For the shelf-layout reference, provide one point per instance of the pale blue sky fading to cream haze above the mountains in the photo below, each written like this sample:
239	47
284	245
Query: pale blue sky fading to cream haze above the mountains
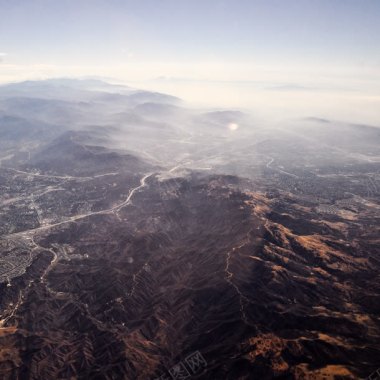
236	52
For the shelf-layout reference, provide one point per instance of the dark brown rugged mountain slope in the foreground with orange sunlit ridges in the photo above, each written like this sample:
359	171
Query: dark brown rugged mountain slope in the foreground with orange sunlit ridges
263	287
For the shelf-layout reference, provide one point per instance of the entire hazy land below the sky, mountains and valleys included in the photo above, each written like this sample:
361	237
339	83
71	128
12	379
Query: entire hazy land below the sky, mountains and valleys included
147	241
